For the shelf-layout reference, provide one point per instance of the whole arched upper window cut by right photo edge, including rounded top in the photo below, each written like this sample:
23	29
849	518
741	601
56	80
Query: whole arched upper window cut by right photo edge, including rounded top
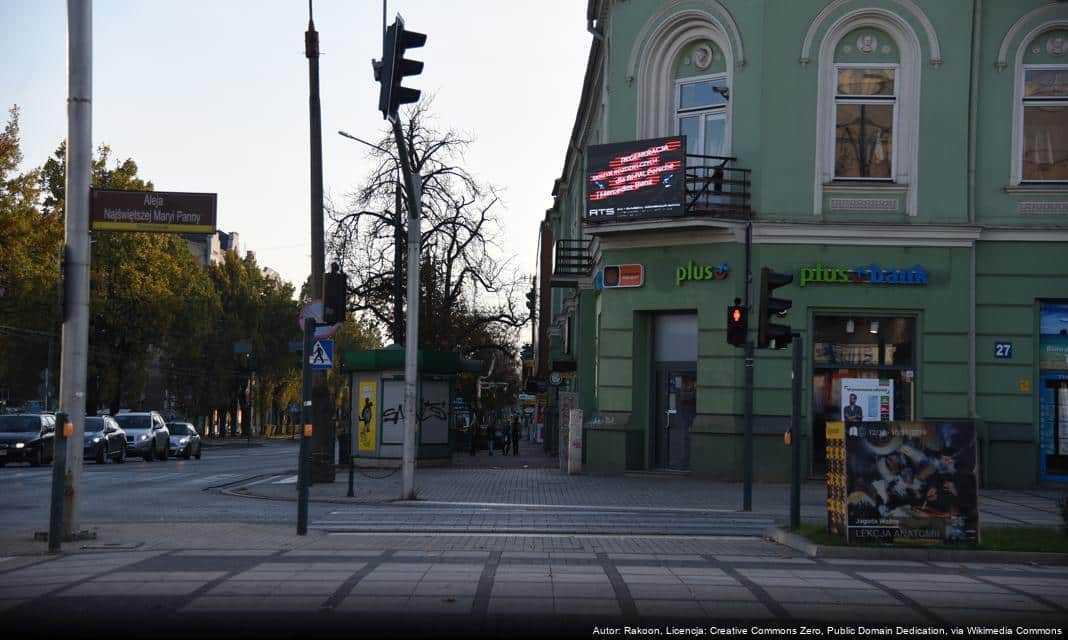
1042	110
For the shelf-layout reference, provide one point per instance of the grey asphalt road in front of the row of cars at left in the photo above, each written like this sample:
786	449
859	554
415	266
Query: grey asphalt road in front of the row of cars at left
175	491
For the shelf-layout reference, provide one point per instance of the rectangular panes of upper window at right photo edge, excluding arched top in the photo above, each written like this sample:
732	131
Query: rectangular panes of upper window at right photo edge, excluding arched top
1045	149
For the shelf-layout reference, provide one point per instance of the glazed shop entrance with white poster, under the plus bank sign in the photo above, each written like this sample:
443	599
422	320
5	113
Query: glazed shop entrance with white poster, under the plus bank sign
863	370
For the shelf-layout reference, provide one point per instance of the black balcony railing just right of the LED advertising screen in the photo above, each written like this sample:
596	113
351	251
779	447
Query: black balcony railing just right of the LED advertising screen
715	188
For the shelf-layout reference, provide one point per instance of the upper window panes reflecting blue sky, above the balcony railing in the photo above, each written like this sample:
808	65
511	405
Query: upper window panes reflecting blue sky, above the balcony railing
701	116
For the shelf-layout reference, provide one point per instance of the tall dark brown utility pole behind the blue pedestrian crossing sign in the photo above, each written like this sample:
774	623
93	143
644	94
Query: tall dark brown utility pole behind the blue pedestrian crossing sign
323	440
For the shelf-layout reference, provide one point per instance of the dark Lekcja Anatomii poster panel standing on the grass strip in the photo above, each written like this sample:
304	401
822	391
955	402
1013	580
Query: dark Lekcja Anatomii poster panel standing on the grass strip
912	481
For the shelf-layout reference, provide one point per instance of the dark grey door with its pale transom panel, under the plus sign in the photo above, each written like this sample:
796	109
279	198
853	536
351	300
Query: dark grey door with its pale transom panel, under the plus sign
676	389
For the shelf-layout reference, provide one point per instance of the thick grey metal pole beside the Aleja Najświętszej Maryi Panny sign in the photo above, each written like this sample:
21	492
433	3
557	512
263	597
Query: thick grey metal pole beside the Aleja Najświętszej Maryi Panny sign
74	351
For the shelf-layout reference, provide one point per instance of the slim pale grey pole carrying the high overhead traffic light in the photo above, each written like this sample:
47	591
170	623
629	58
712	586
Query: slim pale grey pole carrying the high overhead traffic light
412	334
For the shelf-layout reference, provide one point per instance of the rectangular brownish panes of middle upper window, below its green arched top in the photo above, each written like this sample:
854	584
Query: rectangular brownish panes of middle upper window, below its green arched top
866	112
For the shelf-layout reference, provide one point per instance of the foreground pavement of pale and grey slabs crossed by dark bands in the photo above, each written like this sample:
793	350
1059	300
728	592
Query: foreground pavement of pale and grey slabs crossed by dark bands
514	585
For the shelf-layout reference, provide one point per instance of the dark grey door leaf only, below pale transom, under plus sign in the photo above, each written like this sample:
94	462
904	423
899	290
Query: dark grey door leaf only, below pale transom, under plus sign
677	408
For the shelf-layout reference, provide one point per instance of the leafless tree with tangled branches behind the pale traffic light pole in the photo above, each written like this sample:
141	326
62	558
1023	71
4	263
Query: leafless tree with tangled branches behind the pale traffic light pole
467	294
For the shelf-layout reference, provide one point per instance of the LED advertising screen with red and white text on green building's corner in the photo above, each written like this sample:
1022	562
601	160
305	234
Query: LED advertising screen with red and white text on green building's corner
643	179
